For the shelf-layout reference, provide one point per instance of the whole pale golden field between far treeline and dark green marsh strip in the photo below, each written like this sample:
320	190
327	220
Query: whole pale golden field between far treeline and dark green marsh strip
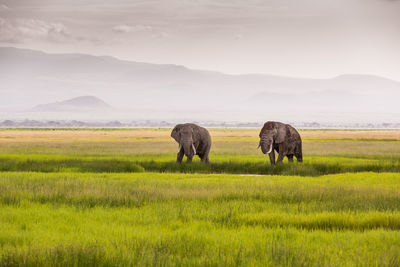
225	141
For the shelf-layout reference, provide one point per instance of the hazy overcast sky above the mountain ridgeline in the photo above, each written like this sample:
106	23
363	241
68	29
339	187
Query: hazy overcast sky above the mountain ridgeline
303	38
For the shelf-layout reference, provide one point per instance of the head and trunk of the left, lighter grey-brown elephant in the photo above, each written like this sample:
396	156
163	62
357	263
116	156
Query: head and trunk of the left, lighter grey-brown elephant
185	135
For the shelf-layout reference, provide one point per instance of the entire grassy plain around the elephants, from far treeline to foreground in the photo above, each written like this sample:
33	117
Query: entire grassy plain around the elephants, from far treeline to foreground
116	197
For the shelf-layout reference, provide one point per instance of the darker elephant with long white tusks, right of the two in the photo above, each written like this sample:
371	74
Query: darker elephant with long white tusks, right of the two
283	138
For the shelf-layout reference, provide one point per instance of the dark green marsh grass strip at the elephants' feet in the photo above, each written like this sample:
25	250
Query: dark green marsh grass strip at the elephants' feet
313	166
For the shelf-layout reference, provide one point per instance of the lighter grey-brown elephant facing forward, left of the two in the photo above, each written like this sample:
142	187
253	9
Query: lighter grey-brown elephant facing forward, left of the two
193	140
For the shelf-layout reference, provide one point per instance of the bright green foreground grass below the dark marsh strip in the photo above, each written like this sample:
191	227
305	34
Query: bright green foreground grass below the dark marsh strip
176	219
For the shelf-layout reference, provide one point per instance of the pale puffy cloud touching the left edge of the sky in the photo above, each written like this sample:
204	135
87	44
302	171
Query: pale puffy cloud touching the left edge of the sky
20	30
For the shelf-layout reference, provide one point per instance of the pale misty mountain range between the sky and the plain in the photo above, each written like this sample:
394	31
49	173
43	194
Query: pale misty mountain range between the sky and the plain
37	81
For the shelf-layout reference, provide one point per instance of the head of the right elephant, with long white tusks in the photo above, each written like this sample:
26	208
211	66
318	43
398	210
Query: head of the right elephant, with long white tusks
272	133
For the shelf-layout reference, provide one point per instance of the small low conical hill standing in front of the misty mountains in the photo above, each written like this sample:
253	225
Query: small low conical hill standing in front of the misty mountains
77	104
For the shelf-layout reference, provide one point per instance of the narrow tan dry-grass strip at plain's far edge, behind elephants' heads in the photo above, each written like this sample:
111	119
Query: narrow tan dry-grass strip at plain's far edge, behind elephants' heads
157	135
